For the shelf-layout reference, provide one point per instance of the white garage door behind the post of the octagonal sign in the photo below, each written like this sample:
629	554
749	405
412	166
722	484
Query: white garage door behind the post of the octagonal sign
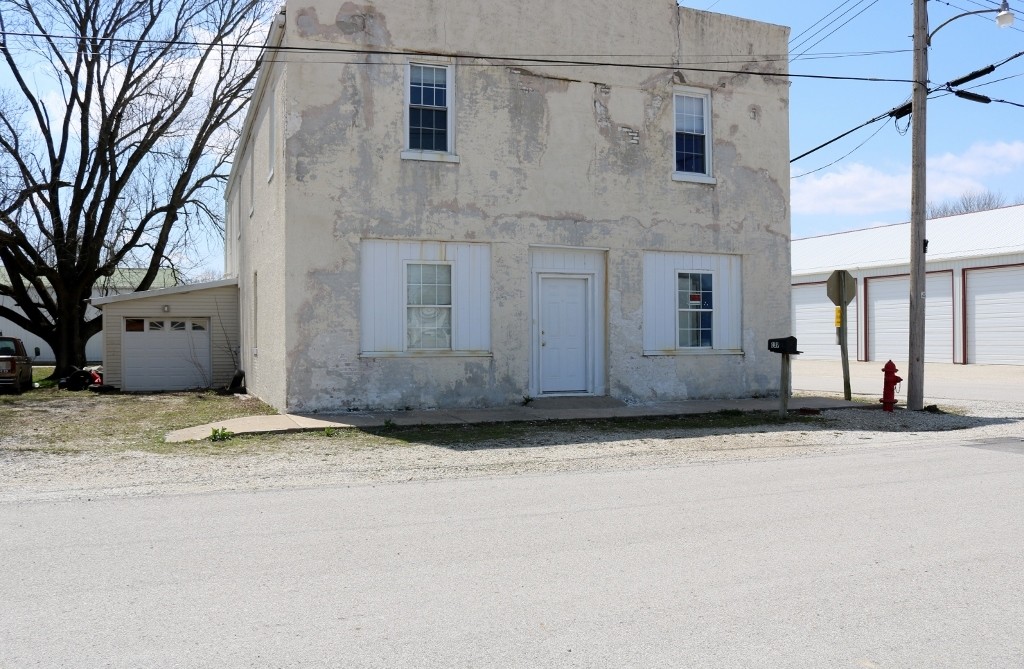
815	323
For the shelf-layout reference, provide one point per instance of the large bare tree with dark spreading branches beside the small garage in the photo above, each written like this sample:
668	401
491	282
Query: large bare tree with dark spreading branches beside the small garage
115	142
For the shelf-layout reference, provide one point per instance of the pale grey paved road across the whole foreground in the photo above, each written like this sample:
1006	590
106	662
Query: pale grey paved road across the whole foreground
888	558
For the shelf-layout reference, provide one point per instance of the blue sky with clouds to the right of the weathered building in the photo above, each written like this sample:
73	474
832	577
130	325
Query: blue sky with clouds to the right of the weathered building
971	147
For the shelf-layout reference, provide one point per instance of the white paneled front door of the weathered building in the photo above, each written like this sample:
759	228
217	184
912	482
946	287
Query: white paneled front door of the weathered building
564	336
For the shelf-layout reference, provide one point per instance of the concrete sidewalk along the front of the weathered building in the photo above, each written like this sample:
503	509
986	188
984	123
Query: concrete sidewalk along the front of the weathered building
546	409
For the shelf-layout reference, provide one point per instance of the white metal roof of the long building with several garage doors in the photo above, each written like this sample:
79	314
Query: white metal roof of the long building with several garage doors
994	233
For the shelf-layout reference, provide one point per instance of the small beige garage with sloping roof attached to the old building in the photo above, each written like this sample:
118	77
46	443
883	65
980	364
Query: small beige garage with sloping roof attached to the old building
173	340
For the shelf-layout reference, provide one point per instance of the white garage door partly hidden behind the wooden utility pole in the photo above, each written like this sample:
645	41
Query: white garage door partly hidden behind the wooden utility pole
889	314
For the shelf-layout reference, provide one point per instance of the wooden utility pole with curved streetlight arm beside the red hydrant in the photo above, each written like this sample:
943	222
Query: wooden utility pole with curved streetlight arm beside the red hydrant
919	244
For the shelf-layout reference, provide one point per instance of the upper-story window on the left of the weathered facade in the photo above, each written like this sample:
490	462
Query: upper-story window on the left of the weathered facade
429	113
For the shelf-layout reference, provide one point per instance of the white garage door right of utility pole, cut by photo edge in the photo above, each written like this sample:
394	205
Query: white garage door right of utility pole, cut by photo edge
996	316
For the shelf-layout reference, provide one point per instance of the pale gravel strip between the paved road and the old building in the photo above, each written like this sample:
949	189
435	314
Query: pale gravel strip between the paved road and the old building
30	474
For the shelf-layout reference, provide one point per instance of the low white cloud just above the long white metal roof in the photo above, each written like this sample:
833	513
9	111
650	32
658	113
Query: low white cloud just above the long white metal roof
859	190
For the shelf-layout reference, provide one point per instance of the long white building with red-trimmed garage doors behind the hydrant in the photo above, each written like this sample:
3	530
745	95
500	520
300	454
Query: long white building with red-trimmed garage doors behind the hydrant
974	305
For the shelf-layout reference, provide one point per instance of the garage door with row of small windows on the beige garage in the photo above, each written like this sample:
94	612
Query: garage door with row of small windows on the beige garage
166	354
